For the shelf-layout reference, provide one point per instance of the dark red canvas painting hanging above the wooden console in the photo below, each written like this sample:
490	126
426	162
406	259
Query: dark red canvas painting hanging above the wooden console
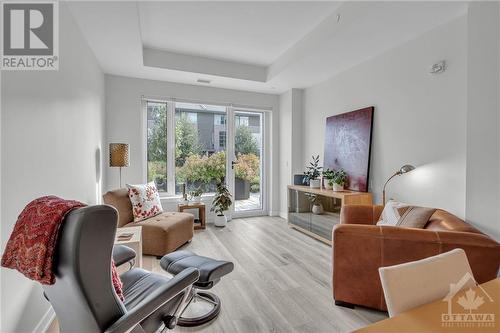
348	146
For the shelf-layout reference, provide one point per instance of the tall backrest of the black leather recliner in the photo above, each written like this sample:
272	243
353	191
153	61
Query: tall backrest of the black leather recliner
83	296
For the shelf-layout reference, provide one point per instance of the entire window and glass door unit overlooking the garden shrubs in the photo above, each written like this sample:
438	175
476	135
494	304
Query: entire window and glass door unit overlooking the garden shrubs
187	148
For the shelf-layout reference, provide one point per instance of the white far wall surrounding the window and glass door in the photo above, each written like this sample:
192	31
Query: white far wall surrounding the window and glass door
124	119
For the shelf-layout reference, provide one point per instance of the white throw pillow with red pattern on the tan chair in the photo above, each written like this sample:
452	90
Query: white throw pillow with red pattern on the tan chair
145	201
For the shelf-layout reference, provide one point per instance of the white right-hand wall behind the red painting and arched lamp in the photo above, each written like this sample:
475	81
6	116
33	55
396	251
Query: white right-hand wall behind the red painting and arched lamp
419	118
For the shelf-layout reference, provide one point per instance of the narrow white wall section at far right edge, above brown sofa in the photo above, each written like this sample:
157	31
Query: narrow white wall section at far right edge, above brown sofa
483	107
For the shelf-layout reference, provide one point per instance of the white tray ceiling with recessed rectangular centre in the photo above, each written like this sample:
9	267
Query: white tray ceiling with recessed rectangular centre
258	46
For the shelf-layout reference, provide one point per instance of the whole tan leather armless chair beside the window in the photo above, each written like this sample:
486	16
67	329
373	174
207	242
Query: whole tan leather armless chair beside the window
162	233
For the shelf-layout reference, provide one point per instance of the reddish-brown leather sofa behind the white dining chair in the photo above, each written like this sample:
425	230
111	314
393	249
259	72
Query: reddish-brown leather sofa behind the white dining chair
360	248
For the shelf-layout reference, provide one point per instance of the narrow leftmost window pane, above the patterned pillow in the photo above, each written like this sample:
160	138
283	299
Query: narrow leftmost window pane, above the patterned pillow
157	144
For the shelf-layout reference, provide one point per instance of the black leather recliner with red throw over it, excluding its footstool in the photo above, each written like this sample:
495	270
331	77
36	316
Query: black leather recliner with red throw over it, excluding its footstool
83	296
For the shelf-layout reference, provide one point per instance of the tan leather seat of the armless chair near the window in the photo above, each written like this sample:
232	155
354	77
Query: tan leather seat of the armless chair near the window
164	233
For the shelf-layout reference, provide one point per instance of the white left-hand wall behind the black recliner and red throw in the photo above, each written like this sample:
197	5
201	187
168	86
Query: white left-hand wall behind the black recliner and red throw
52	130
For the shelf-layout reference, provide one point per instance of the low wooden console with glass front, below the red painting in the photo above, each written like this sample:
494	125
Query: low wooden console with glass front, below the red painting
300	214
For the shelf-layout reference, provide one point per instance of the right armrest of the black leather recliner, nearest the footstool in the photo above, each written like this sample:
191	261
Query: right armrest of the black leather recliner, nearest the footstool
154	301
